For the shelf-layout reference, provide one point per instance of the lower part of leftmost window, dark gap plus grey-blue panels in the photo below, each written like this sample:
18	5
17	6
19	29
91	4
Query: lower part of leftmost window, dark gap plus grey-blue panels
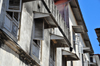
12	22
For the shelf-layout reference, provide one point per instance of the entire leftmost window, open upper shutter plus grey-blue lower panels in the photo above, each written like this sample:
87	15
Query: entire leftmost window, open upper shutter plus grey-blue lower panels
13	16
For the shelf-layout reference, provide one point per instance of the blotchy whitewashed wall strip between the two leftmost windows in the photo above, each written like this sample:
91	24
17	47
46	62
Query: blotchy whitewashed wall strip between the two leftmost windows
26	27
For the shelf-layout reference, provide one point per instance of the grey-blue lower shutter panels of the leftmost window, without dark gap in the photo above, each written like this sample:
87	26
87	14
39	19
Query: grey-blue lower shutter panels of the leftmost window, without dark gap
11	25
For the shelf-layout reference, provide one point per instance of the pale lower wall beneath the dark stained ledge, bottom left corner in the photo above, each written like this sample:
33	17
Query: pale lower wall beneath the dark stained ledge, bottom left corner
9	58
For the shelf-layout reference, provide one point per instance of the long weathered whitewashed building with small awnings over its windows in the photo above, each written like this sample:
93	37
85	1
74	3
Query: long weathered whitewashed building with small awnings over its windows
36	33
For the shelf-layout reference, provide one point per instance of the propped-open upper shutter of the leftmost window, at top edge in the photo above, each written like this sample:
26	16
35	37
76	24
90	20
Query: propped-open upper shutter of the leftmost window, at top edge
14	5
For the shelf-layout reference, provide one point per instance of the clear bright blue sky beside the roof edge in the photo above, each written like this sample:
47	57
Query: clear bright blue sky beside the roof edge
91	14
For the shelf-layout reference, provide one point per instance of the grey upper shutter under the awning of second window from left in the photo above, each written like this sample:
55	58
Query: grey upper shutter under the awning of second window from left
39	29
